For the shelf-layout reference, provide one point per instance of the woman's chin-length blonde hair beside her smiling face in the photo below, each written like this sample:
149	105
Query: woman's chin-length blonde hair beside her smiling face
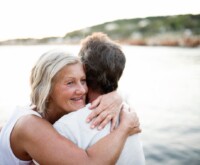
46	68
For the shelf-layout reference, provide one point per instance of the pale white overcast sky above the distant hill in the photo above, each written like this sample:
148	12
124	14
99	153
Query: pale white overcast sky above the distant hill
46	18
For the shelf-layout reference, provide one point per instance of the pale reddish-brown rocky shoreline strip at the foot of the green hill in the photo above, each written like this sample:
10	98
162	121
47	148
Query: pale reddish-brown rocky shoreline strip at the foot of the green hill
154	41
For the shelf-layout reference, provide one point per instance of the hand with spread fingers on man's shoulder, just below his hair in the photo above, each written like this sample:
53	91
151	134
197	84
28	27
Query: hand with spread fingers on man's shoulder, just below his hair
106	108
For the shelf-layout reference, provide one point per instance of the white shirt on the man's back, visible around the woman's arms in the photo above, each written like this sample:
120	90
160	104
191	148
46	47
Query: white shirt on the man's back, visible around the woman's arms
74	127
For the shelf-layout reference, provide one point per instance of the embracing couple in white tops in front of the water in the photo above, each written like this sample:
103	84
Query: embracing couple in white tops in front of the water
76	115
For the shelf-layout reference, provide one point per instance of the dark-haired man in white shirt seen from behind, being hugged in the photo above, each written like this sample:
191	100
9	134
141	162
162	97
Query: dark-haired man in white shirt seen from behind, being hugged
104	63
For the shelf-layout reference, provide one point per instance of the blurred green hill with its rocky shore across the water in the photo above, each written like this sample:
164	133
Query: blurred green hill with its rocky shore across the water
178	30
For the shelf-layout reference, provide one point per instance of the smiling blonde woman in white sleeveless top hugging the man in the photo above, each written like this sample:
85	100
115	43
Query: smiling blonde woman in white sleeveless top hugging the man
58	87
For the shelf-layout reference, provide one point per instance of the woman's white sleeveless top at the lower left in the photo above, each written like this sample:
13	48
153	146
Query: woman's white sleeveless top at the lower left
7	157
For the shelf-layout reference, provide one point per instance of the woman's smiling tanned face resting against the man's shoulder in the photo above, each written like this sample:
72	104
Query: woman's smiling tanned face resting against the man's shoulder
69	89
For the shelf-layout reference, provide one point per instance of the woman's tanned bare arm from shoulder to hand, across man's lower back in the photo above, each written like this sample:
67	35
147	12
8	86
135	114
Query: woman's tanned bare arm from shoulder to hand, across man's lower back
38	139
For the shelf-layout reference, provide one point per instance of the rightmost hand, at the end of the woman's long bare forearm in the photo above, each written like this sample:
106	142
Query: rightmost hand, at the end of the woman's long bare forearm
129	121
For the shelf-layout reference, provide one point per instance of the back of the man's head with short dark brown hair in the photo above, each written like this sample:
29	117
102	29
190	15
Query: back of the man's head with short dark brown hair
104	62
